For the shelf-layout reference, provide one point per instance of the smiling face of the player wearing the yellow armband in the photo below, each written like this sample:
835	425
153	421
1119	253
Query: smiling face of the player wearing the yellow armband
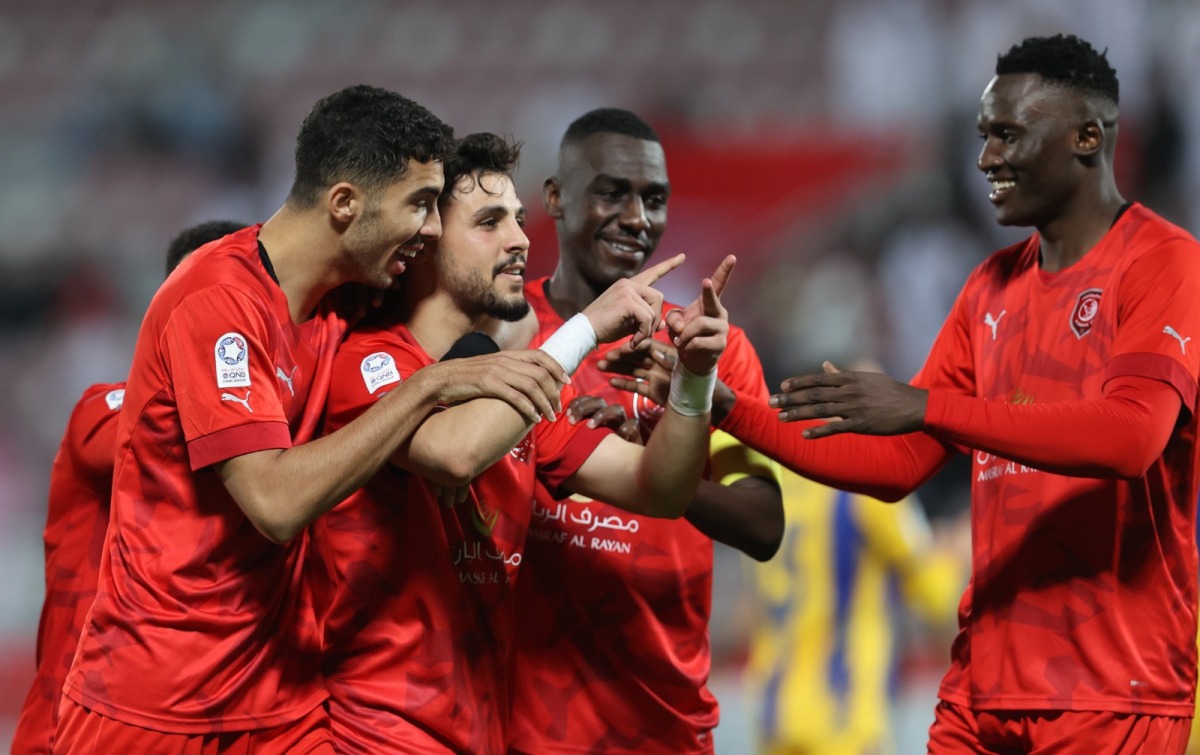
610	202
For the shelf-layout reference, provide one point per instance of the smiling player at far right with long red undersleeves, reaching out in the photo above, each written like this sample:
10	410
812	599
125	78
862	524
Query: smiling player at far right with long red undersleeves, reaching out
1067	370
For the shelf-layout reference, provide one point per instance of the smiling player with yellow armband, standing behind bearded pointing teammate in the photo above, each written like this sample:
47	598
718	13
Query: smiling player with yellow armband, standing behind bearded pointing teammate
614	651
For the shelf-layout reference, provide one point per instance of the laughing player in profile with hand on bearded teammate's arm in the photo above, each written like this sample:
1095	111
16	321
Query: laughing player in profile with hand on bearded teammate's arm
202	637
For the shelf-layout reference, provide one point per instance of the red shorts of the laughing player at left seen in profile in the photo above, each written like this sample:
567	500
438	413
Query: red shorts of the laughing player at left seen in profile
86	733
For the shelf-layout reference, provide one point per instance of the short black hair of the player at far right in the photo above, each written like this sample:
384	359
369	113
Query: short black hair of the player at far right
1065	61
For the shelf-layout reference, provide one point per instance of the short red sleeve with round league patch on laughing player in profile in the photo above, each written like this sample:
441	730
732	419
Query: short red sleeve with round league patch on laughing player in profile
218	347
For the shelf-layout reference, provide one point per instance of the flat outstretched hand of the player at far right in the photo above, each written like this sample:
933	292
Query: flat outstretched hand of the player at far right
865	403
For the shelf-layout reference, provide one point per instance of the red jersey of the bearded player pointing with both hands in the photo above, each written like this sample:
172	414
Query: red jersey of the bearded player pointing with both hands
419	624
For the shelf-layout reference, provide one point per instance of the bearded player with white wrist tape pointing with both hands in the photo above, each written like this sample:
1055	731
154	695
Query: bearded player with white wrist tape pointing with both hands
419	636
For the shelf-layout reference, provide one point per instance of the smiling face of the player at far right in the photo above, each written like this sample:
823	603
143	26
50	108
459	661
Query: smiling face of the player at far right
1033	148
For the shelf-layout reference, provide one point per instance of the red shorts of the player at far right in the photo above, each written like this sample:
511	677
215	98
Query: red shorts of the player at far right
958	730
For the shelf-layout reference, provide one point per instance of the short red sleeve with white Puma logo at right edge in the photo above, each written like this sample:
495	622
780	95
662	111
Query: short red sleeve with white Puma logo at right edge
1159	320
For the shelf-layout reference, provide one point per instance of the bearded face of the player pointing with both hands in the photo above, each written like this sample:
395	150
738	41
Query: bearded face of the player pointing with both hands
482	255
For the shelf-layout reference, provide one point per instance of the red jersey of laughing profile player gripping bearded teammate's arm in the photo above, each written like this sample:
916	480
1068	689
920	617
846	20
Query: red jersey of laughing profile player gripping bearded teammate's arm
200	624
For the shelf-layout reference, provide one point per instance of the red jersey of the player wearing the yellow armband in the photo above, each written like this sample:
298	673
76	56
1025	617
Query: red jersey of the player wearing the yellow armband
614	652
